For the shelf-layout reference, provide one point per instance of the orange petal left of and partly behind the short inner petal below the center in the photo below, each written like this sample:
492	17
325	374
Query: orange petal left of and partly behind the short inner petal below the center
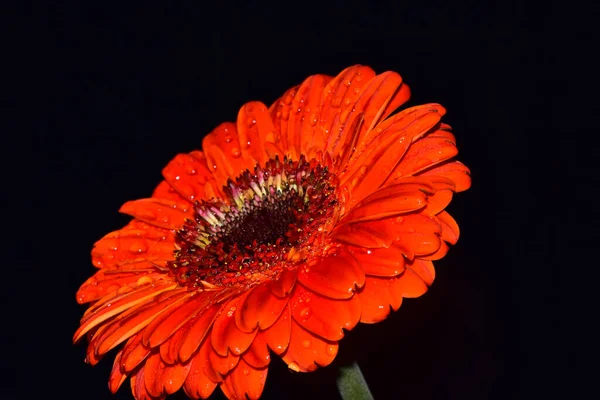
226	335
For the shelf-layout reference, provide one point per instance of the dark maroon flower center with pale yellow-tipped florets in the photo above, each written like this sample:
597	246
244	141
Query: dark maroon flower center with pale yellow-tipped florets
272	219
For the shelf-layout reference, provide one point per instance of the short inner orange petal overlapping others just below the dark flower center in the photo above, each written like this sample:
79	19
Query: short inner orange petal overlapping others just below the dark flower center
260	308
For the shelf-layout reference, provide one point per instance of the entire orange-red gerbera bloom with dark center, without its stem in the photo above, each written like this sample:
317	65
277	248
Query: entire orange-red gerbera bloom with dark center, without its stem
288	228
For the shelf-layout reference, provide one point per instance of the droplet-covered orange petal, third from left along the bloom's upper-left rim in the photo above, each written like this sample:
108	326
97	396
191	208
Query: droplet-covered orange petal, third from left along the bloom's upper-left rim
223	153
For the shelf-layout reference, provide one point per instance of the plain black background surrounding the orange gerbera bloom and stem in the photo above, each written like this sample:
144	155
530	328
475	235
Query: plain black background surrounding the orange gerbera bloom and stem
121	89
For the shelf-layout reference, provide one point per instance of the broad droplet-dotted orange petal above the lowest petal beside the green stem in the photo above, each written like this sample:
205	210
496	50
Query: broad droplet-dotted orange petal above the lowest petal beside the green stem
323	316
